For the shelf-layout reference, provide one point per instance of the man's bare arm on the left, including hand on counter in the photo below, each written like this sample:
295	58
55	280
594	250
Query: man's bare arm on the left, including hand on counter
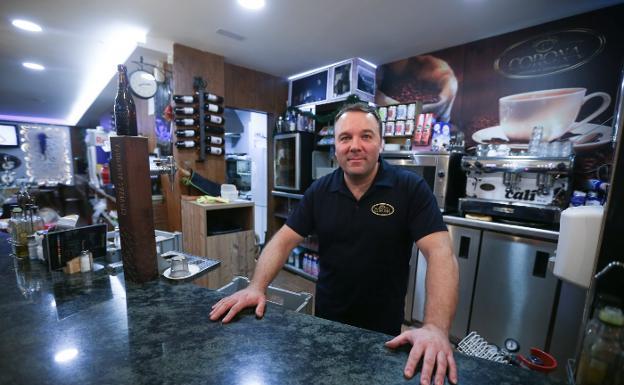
269	263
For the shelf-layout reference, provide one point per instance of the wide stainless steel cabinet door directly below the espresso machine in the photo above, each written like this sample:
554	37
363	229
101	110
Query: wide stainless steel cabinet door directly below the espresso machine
514	292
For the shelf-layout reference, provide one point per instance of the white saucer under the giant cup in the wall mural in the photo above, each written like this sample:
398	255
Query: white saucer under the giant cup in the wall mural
485	135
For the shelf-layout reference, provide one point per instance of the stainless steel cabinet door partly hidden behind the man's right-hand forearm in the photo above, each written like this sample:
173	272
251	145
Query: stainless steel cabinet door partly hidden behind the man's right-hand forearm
465	243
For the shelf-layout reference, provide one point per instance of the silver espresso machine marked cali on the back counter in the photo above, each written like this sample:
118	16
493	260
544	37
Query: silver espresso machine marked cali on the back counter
517	189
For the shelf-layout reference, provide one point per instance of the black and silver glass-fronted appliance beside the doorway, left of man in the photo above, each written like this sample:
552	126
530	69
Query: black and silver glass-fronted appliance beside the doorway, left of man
292	163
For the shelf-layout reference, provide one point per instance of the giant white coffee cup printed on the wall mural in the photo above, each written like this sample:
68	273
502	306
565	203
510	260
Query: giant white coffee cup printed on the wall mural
555	110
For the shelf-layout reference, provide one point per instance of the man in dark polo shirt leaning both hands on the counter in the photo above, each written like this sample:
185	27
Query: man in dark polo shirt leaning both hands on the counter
367	215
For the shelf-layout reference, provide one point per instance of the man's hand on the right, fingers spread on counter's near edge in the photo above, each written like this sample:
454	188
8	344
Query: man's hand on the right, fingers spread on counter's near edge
430	344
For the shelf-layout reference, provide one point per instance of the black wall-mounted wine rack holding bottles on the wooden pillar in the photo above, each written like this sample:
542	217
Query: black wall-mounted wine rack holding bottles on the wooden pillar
201	99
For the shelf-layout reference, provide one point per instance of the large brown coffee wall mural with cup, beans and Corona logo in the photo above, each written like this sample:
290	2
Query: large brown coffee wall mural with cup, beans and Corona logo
562	76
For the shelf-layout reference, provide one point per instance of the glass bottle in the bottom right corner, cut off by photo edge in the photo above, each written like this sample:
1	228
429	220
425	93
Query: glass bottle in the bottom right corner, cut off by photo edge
601	356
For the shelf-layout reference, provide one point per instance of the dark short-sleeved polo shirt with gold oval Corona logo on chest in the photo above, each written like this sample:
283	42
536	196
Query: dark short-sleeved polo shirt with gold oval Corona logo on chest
365	246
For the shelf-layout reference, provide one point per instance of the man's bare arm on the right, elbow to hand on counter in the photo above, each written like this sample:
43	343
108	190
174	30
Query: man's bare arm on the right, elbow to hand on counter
430	343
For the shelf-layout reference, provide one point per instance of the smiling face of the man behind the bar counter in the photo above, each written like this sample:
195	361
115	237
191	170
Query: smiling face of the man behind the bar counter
358	143
